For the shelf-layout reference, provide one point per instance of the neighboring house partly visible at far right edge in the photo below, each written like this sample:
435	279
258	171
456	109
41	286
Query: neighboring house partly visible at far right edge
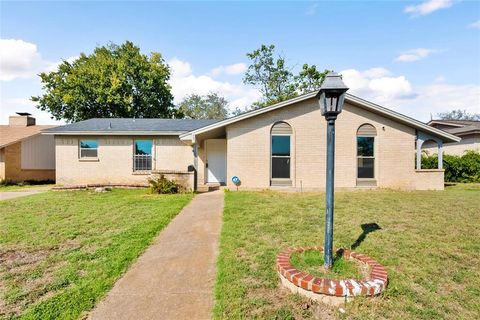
468	130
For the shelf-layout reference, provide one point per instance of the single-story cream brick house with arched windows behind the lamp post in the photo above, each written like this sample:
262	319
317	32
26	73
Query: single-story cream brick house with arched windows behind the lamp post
280	146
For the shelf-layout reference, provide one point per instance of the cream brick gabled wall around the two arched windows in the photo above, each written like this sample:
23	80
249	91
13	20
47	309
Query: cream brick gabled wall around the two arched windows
248	149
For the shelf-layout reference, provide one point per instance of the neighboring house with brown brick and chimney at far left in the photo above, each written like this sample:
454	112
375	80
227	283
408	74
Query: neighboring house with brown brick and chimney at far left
25	154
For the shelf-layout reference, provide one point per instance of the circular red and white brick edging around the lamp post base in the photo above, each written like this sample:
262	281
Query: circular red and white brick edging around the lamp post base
374	284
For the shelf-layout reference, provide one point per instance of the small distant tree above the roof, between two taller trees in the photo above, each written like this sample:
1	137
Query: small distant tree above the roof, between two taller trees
210	106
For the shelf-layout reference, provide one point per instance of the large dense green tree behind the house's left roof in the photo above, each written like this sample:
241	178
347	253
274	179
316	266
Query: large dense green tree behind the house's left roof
113	81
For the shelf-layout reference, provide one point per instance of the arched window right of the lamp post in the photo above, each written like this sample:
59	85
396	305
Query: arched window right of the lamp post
366	151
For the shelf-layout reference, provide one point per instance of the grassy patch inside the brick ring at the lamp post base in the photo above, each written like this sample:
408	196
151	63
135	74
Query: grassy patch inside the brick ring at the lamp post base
311	262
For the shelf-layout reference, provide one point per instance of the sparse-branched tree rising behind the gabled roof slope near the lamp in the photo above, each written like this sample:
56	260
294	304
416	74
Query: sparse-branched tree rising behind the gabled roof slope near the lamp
269	73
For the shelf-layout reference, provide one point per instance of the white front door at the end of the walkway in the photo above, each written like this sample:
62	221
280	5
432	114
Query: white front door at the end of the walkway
216	160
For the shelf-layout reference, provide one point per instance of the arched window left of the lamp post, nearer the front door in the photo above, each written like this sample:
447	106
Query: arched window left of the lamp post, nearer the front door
281	154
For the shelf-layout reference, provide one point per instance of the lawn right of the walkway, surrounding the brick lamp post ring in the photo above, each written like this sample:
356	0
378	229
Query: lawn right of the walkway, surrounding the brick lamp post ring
428	241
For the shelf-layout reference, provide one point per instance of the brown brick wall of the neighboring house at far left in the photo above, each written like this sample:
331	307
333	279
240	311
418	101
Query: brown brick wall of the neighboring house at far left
12	166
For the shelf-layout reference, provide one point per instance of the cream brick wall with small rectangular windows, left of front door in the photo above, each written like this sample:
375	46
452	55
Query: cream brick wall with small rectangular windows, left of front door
115	160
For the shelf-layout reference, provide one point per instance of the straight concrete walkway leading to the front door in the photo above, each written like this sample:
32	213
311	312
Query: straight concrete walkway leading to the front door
174	278
